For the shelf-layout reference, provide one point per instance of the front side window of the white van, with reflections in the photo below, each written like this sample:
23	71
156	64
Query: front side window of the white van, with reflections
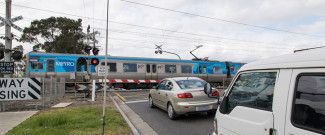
253	89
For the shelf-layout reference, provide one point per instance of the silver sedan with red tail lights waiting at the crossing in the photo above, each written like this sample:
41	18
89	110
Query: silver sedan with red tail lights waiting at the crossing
182	95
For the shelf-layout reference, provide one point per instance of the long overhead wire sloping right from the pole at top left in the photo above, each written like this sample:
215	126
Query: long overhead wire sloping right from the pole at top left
141	26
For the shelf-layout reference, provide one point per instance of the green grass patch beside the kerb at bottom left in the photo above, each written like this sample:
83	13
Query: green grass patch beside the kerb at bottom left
73	121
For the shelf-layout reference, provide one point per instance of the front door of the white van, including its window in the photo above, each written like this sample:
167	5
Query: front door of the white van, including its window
247	107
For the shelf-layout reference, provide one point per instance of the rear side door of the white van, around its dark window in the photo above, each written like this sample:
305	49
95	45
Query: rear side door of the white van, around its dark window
306	103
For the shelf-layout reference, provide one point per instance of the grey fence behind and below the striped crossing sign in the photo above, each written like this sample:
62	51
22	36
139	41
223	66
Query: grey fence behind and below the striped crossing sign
53	89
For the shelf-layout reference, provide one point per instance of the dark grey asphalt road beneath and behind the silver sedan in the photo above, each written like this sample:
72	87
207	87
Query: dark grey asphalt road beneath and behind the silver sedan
157	119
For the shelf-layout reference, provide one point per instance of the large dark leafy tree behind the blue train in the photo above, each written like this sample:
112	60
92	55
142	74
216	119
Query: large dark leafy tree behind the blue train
55	35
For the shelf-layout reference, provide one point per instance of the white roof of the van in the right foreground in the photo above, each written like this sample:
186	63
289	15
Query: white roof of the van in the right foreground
300	59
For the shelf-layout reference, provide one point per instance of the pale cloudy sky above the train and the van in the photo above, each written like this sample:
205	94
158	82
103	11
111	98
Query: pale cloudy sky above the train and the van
229	30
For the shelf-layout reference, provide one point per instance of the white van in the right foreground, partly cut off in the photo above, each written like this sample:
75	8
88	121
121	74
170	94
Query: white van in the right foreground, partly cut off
278	96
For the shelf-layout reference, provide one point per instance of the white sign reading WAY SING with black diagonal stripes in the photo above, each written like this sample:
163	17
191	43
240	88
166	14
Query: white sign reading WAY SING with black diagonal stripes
20	89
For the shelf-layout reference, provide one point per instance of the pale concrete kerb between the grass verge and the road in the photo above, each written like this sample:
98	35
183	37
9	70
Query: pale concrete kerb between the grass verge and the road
135	119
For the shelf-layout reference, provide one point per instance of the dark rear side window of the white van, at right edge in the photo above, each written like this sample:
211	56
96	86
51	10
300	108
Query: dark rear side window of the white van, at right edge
308	111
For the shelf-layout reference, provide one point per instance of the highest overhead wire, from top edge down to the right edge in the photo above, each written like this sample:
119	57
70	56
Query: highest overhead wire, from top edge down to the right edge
224	20
